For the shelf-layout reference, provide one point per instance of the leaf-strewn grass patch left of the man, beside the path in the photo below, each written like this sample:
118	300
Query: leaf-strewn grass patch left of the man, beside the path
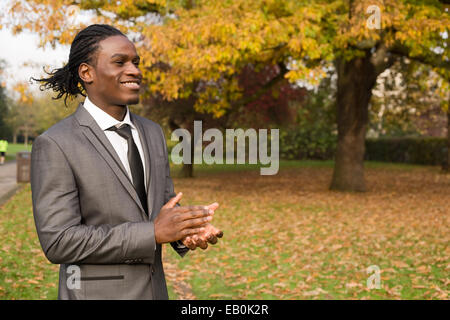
25	272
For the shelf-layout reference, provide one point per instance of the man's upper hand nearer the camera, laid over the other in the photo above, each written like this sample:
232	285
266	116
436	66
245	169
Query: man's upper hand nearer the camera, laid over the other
175	223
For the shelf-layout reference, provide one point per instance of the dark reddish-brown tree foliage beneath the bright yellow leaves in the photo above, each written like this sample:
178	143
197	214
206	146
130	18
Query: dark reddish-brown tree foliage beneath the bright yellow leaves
263	104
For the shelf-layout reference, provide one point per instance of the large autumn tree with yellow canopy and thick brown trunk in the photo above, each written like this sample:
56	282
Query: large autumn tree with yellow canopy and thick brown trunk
213	40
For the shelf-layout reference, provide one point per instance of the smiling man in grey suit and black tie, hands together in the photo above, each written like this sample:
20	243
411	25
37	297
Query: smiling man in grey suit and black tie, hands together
103	199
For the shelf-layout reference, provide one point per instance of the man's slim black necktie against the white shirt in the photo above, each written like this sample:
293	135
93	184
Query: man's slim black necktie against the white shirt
135	162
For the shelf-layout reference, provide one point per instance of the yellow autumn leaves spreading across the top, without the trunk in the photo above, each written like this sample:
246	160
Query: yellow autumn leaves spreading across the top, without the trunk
211	41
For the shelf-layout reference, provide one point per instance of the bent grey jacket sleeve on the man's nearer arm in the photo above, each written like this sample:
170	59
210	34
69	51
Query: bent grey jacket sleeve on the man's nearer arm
62	234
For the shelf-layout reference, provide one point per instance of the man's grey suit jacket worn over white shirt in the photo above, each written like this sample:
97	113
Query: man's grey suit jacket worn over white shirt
88	215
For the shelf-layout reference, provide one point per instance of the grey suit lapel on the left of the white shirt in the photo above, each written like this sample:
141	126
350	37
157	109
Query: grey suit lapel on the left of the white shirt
101	143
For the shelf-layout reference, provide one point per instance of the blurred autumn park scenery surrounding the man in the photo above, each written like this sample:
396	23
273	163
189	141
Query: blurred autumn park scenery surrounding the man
359	91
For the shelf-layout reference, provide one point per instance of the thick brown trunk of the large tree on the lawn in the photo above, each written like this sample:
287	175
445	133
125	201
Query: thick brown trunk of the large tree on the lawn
356	78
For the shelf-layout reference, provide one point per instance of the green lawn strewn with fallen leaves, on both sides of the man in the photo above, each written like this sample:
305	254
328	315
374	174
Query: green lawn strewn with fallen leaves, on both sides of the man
285	236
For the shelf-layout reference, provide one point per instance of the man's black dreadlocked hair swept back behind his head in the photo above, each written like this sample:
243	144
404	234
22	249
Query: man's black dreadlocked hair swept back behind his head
66	81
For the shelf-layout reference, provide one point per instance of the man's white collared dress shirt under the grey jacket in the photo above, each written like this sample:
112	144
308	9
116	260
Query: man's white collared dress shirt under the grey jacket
105	121
